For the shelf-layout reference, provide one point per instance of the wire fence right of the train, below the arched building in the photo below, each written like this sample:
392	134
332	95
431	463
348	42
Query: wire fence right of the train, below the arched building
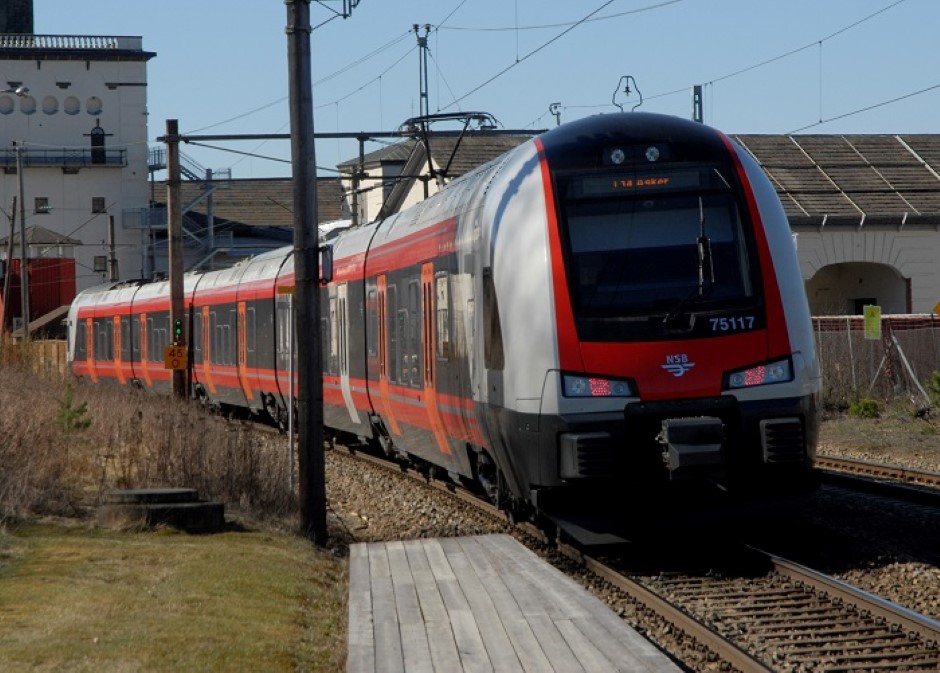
898	365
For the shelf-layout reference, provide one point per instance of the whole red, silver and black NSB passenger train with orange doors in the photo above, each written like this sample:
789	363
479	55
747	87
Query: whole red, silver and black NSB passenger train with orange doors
613	305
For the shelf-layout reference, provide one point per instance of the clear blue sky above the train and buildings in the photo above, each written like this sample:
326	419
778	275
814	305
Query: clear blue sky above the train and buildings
766	66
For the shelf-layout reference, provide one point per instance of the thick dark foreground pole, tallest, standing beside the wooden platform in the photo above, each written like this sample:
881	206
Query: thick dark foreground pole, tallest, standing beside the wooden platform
306	277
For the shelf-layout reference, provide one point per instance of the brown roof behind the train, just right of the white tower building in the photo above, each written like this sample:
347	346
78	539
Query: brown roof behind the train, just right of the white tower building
262	202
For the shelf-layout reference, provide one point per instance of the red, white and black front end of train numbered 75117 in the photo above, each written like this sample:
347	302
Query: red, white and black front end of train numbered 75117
685	350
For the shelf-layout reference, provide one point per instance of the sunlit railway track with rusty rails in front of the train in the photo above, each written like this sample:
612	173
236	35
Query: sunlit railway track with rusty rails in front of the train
783	618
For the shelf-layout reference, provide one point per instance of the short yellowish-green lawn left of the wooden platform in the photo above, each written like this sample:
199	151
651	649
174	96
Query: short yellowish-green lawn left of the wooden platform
79	599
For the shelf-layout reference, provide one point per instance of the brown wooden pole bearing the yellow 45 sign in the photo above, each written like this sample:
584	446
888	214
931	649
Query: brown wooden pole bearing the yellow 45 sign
174	226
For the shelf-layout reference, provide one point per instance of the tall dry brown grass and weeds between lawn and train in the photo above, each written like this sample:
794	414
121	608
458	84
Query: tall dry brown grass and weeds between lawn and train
135	440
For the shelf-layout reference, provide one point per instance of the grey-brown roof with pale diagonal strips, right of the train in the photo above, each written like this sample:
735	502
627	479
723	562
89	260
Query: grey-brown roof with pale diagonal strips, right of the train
854	180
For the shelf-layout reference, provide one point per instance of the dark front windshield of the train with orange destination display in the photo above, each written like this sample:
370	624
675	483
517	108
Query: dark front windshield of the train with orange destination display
648	254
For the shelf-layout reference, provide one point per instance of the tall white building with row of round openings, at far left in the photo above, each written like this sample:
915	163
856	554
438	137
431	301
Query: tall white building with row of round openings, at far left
75	110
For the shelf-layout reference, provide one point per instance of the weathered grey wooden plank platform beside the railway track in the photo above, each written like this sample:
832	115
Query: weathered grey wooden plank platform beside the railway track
483	603
